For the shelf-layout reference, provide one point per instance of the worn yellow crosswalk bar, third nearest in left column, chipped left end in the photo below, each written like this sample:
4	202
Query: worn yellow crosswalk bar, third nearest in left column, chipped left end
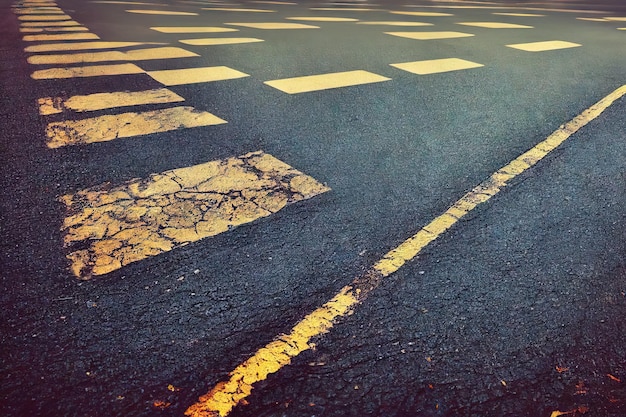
101	101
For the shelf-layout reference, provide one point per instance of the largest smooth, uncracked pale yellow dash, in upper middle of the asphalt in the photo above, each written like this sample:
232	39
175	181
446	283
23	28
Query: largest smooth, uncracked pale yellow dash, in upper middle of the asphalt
325	81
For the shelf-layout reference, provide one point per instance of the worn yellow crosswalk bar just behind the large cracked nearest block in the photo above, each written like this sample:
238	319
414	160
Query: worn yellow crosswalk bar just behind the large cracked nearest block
125	125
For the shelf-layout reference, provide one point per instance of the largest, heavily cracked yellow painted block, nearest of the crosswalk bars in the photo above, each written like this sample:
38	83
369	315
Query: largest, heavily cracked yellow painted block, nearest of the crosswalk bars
146	217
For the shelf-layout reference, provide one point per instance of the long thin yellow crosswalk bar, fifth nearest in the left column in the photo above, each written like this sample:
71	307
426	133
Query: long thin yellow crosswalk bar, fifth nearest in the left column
134	55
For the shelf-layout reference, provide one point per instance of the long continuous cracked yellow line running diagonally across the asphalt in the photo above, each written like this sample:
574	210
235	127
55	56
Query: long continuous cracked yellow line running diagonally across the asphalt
220	400
